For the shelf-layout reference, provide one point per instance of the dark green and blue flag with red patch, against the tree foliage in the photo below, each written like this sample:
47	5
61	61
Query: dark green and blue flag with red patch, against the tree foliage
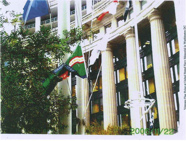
59	74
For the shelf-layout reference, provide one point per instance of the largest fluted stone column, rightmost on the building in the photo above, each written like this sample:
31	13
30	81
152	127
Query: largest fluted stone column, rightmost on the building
164	92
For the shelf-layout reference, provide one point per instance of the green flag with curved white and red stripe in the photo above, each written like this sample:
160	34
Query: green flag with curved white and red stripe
76	62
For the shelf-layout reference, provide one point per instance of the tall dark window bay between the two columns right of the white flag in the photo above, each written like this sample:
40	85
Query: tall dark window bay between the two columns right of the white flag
120	64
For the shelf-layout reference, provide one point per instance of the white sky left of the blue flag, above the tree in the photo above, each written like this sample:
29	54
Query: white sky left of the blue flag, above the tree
17	6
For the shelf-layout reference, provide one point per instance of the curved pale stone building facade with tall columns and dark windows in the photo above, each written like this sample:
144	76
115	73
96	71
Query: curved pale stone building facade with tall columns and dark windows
141	60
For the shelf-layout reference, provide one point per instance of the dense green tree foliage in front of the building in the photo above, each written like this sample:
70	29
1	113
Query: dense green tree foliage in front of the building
27	61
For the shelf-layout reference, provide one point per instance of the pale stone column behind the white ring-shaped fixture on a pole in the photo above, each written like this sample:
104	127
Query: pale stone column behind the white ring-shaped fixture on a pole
133	77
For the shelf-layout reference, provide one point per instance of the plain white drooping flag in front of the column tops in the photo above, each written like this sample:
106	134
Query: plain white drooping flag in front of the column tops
101	47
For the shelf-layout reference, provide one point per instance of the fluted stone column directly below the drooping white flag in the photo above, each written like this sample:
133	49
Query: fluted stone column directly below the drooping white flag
109	89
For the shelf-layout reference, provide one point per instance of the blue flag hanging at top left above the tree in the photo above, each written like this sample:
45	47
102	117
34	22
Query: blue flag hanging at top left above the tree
35	8
